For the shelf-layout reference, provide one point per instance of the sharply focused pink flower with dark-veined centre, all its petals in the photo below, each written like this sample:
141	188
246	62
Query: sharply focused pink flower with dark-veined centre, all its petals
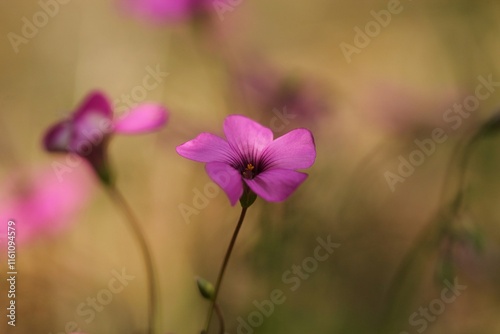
249	158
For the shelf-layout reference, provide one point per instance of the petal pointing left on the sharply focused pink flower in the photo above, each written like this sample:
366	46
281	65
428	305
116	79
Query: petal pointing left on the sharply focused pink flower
206	147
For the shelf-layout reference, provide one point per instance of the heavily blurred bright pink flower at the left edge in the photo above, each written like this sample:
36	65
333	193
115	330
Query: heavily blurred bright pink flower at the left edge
40	204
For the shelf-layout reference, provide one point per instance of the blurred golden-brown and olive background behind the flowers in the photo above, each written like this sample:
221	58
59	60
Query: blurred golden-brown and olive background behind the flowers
393	92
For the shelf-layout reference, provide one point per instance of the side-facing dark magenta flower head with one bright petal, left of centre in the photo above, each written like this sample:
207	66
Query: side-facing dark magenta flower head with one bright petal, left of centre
90	127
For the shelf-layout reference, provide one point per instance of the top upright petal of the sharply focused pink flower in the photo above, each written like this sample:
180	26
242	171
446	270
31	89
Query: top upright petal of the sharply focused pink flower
247	137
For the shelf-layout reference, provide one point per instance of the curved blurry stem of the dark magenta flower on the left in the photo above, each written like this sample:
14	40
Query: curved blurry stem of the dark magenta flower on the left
122	204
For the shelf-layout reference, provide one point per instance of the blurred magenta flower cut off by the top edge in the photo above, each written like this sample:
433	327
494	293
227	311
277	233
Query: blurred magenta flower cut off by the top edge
160	11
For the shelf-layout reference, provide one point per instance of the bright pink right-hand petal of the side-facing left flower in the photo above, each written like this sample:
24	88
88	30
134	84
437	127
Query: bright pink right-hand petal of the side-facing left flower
144	118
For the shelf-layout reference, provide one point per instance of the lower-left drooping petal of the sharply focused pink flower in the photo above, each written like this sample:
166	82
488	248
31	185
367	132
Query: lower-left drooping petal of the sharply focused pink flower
228	178
